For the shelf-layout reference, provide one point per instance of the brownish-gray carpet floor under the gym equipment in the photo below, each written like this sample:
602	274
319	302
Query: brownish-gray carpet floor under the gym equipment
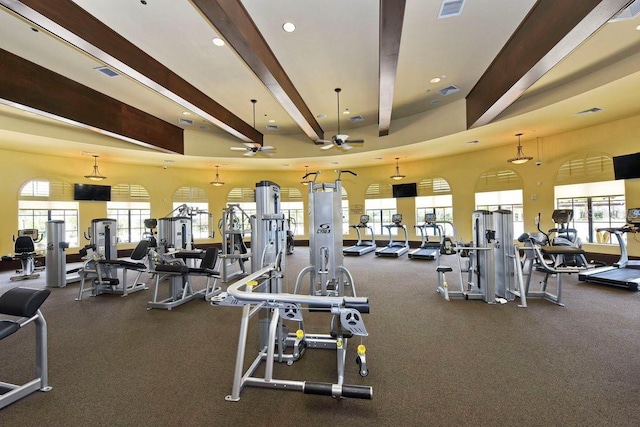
431	362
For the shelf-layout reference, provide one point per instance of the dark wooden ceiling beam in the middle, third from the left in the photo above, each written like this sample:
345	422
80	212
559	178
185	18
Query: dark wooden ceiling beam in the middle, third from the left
232	21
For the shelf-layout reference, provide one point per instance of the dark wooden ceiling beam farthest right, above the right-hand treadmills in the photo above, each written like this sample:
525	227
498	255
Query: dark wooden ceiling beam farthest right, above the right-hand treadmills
550	32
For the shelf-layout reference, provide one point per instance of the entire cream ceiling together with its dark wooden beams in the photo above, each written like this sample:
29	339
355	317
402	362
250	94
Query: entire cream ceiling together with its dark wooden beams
293	76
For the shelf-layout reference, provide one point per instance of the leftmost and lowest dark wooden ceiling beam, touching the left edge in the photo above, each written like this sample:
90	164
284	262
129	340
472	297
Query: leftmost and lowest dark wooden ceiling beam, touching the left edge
23	85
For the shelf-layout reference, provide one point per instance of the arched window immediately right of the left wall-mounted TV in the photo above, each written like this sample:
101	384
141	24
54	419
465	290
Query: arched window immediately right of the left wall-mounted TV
130	205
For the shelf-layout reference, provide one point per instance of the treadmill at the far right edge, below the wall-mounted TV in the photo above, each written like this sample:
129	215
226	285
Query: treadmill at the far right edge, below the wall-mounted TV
624	273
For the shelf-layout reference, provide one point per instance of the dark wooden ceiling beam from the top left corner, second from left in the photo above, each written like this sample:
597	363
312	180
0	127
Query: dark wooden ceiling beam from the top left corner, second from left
77	27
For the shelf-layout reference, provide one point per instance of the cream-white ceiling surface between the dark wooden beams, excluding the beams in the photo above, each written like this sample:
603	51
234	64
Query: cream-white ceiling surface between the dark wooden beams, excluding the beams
335	45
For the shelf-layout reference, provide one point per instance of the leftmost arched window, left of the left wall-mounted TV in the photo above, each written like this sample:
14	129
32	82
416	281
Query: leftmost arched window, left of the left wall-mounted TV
42	200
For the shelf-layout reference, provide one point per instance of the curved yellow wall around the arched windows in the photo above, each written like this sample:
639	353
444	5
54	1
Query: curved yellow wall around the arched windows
462	172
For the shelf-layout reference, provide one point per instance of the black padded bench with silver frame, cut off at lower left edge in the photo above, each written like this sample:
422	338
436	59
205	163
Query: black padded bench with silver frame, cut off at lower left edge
25	303
